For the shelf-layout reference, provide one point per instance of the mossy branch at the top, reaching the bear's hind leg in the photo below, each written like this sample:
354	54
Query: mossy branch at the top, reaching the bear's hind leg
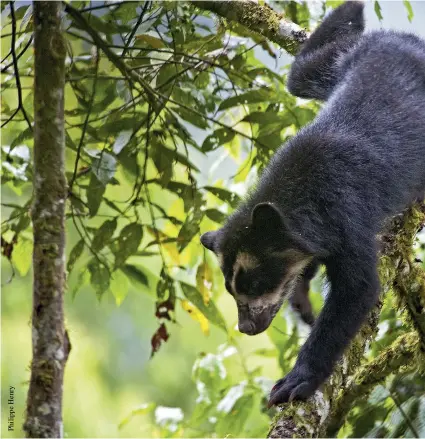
261	19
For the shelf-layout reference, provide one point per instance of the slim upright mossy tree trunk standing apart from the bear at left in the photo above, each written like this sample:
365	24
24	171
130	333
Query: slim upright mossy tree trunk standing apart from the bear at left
50	344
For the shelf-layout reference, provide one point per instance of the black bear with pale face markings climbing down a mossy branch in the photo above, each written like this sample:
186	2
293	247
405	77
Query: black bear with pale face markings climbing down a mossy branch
326	193
